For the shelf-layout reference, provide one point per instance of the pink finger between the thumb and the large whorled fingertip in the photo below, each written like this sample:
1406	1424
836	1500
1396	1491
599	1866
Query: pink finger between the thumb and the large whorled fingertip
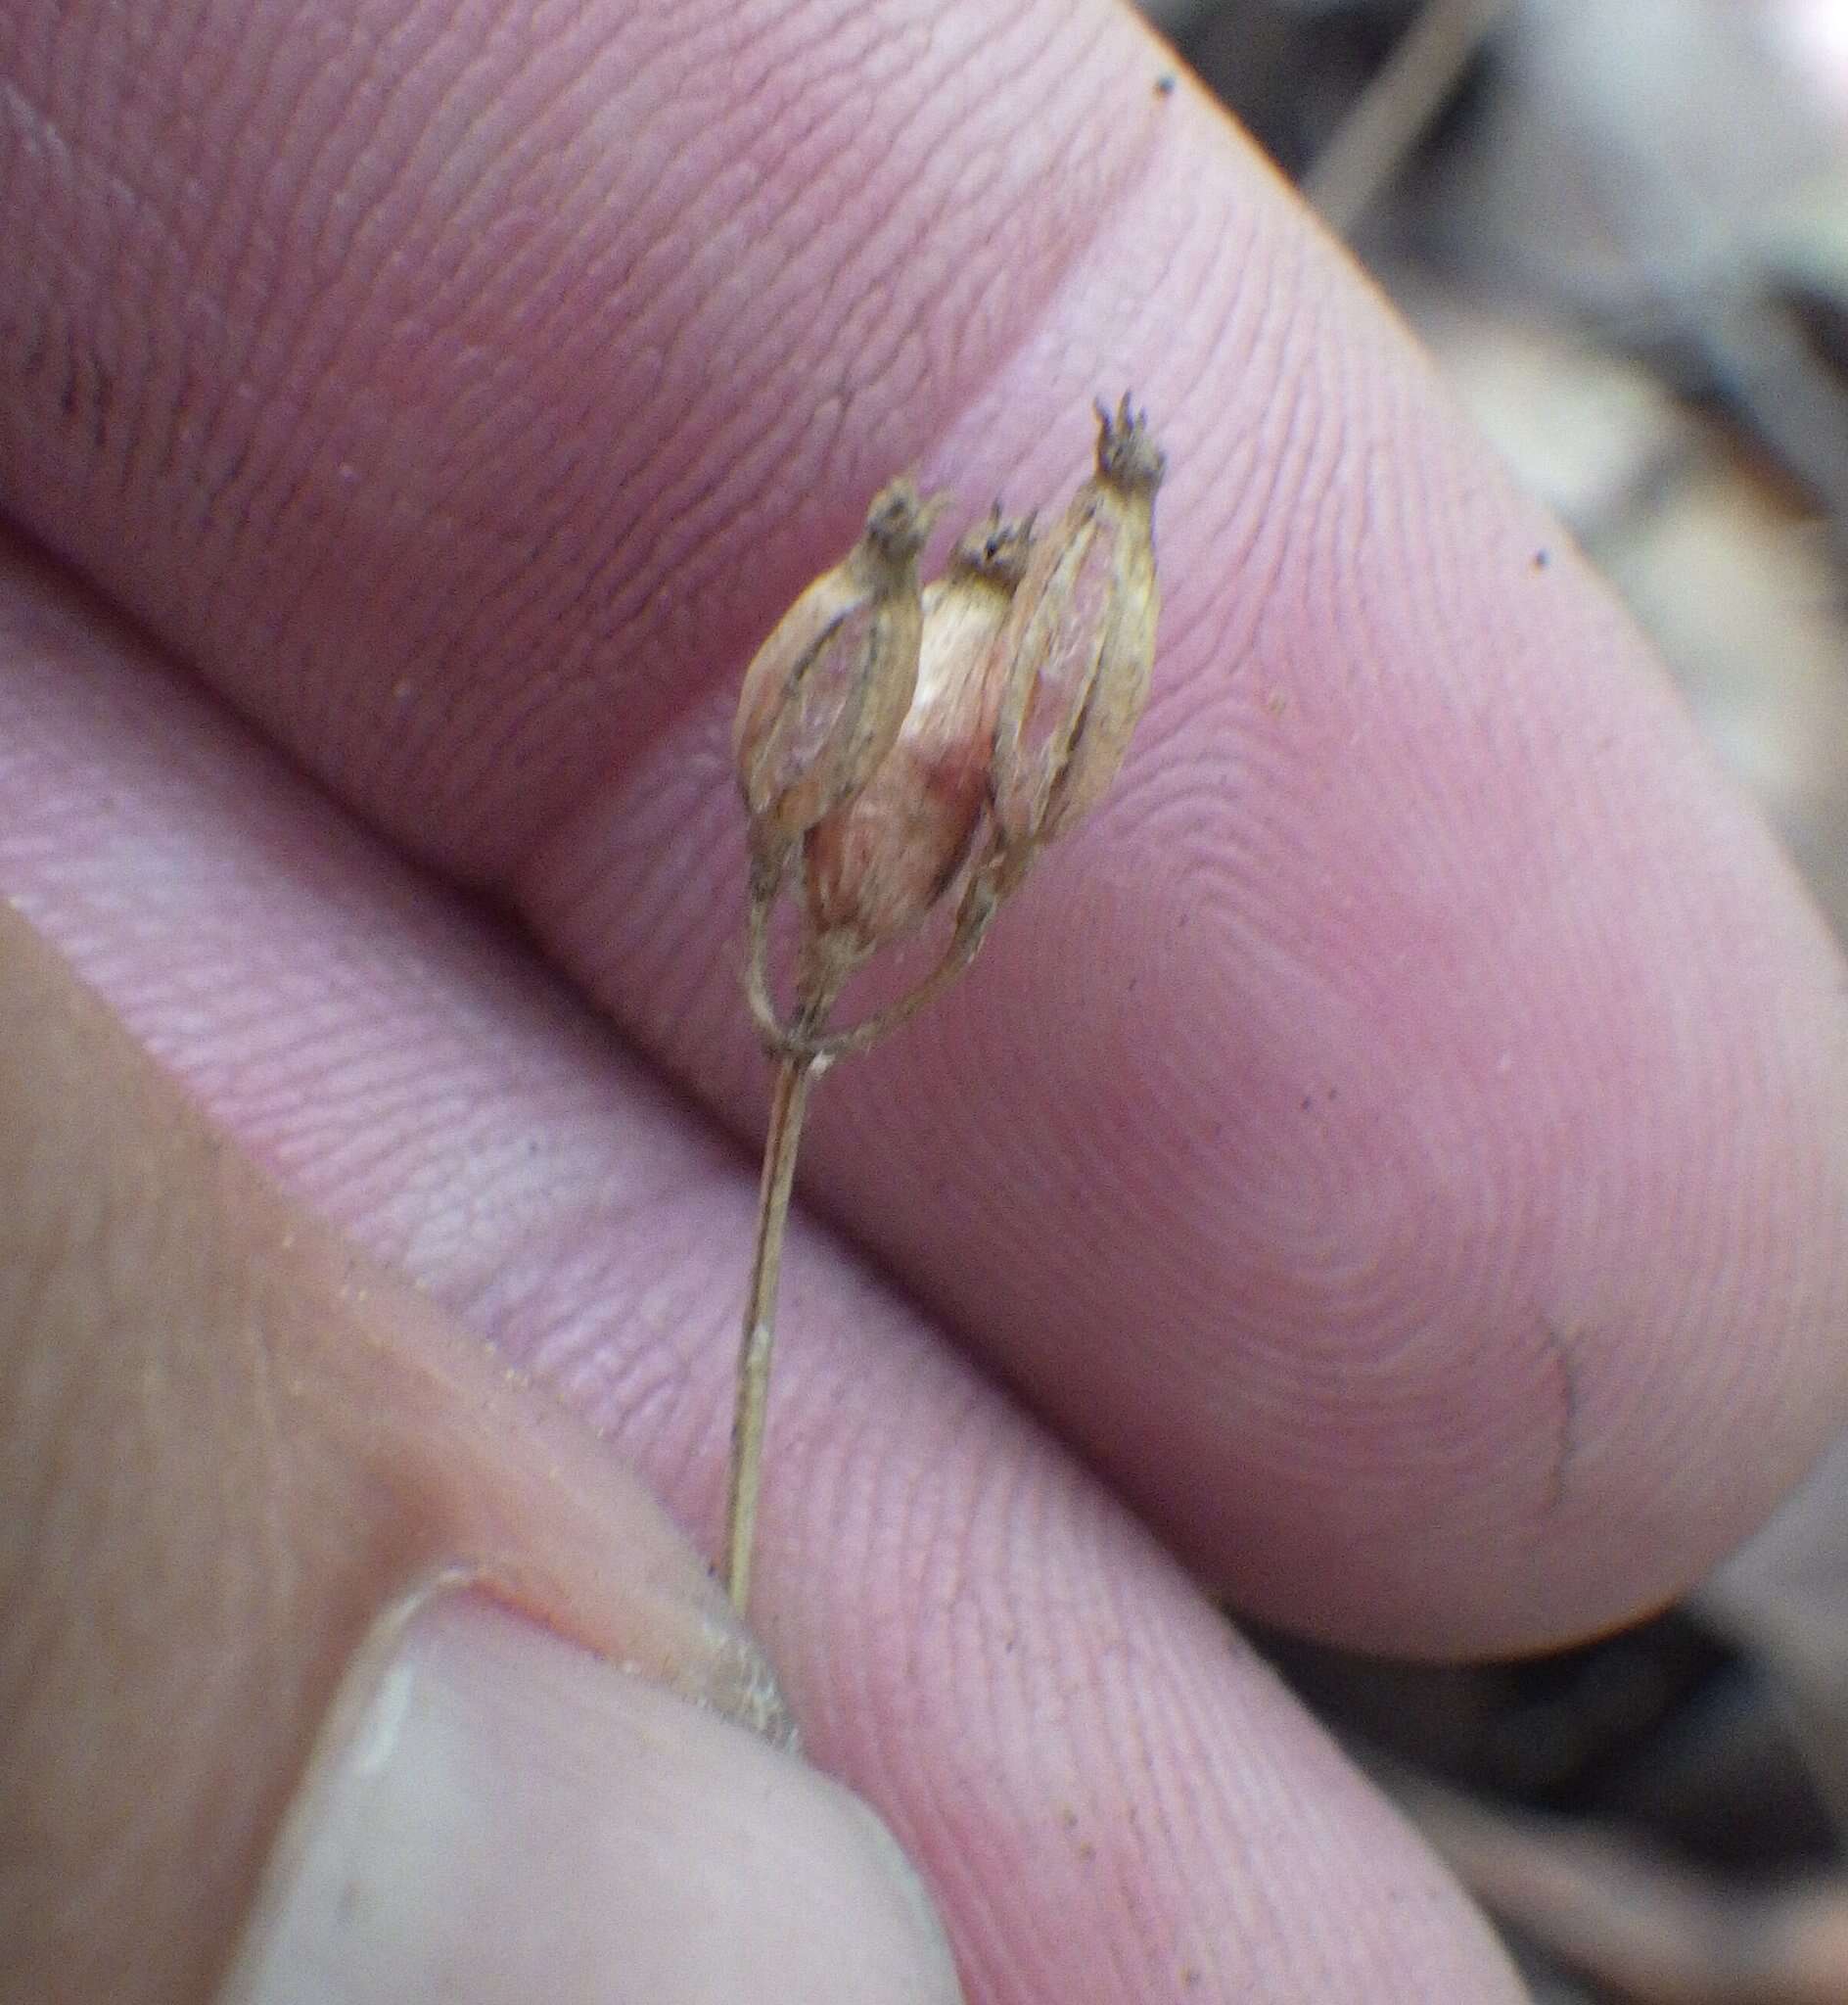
969	1627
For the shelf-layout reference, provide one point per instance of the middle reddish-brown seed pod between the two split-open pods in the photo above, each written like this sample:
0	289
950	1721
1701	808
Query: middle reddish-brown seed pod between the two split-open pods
881	863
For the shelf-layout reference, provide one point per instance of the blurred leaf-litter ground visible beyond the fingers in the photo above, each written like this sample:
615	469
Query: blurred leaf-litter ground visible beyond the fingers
1623	230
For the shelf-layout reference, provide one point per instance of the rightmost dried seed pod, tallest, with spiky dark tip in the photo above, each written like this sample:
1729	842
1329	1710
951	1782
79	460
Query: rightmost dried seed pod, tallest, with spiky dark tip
1079	645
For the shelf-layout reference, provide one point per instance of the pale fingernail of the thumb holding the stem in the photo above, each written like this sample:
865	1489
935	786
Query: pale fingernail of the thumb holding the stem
500	1818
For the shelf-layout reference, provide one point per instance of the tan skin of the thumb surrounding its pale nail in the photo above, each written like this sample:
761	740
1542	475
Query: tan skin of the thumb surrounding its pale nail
229	1445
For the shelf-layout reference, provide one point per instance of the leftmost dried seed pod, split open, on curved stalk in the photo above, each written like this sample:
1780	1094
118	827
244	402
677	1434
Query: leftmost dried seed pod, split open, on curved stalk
827	695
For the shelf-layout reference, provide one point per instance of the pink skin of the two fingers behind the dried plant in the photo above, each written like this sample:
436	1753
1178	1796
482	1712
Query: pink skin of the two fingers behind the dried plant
1400	1150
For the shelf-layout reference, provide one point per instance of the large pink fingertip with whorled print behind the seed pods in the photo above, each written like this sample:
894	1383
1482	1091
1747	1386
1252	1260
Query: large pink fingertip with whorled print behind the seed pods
1418	1106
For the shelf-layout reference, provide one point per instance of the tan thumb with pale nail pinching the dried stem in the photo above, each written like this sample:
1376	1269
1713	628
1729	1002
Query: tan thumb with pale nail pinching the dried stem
296	1573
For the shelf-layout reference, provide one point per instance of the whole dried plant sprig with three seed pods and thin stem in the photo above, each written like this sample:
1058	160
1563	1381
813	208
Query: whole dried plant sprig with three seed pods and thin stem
911	751
